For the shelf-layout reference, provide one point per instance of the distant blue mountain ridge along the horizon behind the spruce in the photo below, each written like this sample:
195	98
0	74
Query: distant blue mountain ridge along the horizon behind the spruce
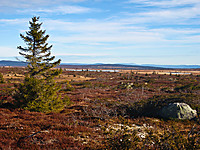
105	66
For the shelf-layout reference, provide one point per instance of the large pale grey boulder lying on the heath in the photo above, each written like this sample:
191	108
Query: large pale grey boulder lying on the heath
178	111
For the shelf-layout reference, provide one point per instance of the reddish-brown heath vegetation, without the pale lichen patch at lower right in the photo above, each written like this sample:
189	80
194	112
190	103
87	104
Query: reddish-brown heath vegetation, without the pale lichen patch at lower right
95	104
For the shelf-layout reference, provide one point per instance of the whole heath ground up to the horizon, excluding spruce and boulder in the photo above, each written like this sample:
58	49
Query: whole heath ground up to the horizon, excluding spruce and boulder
106	110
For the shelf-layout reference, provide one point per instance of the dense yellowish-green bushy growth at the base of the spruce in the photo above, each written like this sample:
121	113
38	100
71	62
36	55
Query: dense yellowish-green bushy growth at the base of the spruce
39	95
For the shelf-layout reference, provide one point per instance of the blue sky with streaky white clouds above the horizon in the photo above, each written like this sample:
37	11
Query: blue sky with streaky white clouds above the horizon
159	32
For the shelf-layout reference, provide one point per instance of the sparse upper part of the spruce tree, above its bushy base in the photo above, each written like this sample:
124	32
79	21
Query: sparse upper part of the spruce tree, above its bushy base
37	52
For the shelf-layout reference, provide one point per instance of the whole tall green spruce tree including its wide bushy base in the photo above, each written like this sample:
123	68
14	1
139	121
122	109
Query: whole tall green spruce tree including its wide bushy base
39	91
